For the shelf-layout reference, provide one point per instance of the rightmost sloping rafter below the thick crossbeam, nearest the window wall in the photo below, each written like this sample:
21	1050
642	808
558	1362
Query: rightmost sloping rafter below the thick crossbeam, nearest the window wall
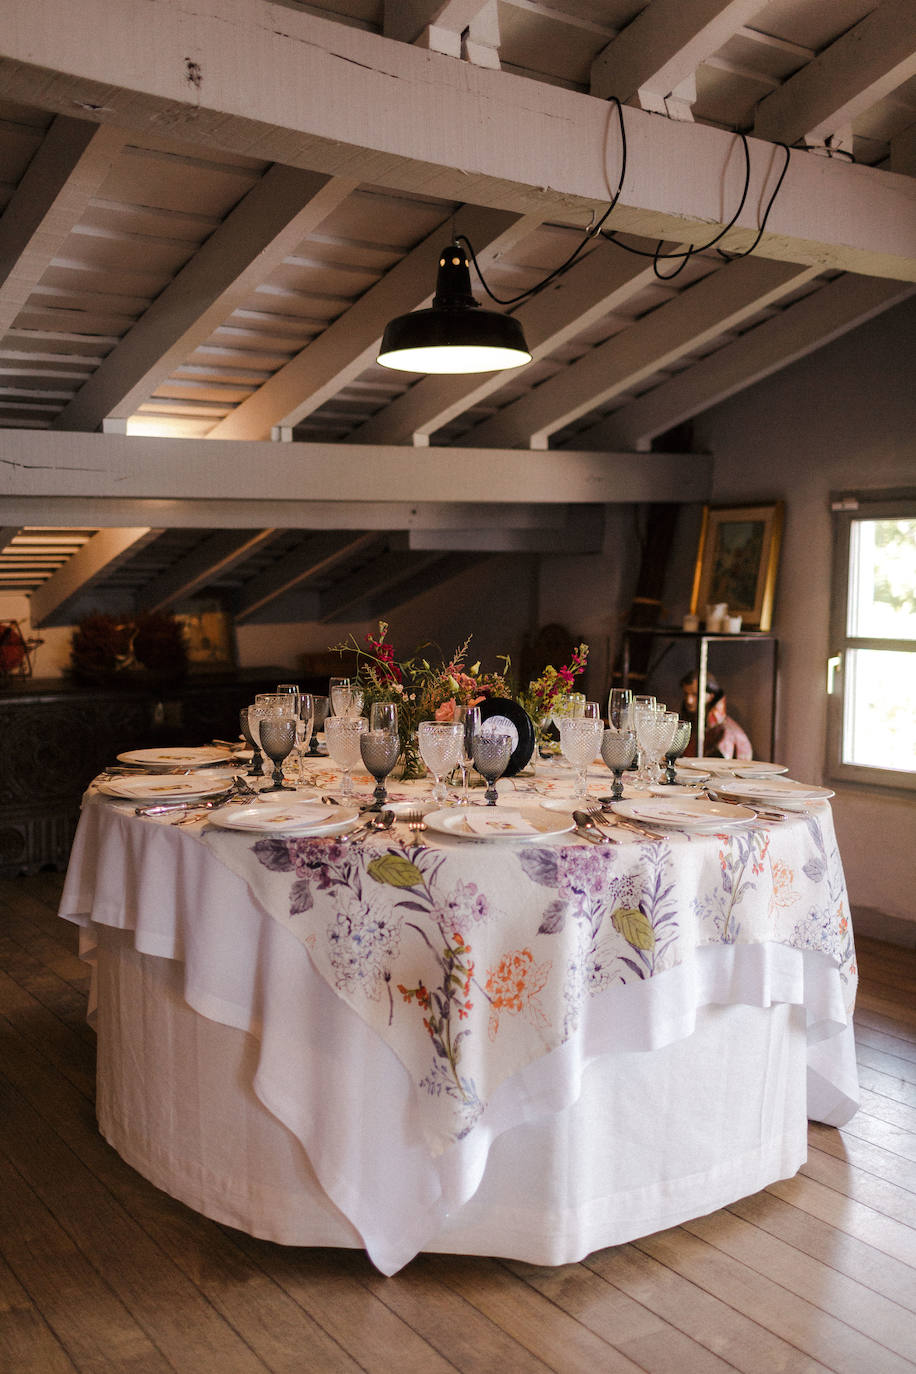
778	343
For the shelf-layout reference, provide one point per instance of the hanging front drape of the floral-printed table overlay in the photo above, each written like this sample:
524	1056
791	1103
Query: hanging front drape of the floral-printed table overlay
474	960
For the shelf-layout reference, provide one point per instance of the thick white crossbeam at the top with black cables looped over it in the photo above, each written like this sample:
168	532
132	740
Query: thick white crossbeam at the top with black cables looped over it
437	127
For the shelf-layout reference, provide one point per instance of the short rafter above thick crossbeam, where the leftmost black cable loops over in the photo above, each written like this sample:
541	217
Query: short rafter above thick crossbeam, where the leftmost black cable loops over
665	45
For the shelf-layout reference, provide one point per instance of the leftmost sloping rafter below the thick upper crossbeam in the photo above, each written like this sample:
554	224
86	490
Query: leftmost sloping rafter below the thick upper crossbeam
65	174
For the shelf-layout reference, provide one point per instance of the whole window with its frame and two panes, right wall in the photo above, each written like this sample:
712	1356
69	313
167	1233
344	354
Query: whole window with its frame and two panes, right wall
873	666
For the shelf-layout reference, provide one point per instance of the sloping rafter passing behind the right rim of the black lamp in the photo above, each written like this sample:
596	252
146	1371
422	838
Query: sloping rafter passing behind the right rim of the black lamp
597	285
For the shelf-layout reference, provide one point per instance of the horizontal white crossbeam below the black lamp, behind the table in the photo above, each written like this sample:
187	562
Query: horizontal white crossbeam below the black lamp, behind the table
290	477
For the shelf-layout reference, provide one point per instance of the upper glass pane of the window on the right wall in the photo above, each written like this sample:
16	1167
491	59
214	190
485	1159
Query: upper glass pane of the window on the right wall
882	579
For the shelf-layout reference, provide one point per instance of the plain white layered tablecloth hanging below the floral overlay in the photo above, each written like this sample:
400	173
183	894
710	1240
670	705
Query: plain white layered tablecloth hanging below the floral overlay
240	1079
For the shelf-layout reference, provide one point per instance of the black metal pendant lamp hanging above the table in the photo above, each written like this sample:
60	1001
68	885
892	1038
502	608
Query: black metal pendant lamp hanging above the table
455	335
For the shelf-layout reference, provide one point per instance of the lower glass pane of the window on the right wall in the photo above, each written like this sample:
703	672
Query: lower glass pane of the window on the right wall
881	710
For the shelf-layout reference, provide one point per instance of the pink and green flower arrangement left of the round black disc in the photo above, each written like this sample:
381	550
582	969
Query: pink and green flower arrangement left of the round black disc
424	689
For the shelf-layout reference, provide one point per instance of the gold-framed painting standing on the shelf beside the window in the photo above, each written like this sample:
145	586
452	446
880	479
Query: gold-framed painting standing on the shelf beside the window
737	561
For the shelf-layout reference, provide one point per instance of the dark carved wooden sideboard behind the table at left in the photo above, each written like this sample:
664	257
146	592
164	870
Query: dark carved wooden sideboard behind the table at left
56	737
